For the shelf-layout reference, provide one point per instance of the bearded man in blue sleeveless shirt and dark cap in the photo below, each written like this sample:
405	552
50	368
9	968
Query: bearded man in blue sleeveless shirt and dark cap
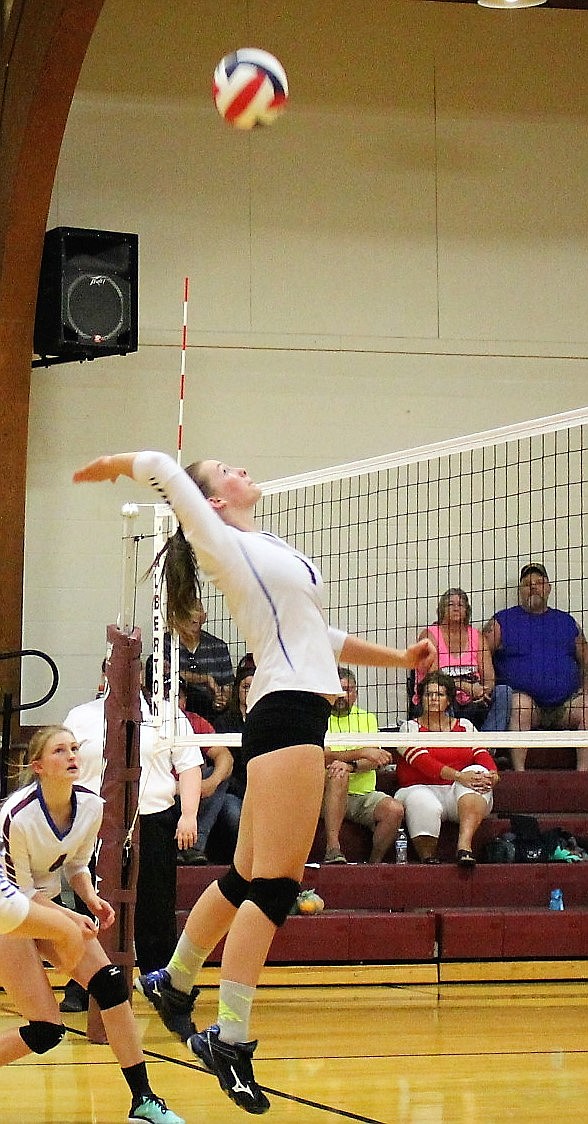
542	655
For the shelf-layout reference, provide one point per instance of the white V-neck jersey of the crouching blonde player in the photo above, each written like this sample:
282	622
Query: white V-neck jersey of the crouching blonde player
37	851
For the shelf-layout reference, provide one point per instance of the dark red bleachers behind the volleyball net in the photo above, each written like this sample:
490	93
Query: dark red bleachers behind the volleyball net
421	913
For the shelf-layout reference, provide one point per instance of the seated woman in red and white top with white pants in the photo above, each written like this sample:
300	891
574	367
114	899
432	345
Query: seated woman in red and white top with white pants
440	783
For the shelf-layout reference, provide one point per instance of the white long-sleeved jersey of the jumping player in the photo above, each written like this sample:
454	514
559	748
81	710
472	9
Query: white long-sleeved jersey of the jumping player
274	593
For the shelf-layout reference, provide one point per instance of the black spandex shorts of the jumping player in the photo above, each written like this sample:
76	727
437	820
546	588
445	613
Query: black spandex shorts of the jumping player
285	719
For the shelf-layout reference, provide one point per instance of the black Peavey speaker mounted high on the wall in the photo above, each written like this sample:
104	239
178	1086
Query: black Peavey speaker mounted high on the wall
88	295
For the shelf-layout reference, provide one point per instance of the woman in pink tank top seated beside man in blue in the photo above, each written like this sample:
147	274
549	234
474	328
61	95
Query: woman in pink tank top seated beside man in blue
464	654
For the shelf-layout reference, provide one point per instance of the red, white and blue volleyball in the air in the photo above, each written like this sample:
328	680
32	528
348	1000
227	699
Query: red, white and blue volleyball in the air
250	88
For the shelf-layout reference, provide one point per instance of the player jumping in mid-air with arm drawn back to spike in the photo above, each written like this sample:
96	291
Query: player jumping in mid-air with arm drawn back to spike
275	596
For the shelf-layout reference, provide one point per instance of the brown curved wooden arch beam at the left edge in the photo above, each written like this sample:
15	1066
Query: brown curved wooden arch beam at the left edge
42	52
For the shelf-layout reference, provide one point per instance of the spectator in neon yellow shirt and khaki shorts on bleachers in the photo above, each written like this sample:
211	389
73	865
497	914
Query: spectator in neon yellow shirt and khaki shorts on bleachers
350	779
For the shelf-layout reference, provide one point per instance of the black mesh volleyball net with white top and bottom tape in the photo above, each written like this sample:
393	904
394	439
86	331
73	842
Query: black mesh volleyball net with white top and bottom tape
392	534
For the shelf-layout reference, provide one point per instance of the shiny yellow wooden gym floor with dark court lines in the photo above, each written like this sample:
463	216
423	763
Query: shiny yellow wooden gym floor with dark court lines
402	1054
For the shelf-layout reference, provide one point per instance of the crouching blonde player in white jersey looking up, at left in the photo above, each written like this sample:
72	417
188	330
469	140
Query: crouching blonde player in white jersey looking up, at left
49	826
